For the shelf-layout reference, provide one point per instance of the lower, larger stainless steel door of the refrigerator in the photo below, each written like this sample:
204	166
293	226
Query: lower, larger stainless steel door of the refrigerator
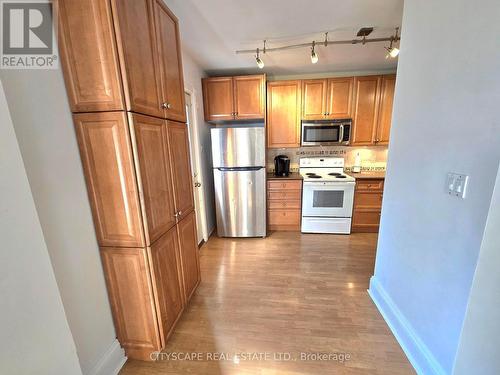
240	198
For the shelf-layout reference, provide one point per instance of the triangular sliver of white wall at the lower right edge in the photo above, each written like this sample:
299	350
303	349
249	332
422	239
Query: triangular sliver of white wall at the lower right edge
478	349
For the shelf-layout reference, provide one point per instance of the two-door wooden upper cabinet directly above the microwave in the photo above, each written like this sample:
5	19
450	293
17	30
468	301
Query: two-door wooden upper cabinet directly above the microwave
327	98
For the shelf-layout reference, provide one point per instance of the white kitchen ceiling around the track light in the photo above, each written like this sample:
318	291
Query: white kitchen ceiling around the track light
212	30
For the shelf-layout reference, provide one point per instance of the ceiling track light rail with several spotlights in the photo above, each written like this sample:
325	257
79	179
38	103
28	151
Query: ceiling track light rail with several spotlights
393	51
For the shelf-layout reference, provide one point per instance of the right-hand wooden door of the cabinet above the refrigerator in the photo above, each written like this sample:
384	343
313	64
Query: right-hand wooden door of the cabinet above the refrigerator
249	97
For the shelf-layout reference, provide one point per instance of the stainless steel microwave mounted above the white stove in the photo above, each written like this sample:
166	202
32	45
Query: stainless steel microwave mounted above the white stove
326	132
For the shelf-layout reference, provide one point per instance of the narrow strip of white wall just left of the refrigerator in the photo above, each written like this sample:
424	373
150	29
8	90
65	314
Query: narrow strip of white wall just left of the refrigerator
192	82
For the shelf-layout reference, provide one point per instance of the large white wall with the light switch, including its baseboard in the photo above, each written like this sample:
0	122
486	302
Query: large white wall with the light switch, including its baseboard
445	119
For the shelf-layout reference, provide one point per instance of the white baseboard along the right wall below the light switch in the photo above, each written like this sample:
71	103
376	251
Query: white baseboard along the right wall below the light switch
421	358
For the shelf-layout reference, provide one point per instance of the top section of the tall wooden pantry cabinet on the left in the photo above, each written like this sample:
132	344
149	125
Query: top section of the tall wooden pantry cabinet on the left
122	54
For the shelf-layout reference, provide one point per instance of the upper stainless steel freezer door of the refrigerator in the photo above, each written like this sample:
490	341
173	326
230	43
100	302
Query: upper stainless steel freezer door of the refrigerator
238	147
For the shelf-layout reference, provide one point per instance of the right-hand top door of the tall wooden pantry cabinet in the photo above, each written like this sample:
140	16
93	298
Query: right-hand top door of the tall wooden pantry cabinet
170	62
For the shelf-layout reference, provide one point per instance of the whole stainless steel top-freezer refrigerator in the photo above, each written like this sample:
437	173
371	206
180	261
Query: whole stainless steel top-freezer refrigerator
239	164
